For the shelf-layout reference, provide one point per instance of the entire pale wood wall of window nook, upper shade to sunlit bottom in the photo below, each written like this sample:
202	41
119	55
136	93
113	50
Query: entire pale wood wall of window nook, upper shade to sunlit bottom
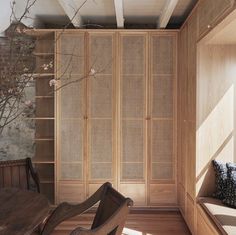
216	111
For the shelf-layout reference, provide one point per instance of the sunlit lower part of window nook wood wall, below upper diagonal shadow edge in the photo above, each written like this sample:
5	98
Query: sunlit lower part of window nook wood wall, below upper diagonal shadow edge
215	140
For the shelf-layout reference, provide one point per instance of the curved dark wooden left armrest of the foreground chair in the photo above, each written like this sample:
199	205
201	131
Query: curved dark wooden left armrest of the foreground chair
65	210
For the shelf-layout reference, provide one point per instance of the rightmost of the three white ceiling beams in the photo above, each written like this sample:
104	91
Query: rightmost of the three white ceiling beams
166	13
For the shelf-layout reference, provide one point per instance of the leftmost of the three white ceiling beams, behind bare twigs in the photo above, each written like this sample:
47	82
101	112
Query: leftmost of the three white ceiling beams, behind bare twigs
71	10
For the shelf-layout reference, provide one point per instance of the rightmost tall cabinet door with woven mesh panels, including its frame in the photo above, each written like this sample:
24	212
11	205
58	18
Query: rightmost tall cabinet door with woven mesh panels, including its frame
162	119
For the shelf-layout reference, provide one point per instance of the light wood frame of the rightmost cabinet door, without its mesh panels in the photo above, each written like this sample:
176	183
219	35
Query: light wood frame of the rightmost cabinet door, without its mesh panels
163	186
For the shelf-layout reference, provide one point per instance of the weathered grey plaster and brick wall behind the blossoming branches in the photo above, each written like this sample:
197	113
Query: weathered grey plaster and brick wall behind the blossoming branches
17	139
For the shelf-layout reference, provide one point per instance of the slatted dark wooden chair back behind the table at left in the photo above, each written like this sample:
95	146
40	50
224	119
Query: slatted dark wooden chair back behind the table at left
19	174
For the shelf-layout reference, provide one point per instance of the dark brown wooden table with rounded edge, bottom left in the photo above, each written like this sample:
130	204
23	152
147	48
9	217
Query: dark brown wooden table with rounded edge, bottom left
21	211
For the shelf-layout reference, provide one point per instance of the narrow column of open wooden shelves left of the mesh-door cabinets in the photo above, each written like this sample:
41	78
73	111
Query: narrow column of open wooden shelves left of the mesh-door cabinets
44	161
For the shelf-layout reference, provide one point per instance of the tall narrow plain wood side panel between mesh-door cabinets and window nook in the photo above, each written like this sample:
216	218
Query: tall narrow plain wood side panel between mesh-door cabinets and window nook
187	120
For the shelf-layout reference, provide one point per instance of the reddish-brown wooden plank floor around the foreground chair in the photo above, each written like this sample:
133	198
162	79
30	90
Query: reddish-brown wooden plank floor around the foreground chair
154	223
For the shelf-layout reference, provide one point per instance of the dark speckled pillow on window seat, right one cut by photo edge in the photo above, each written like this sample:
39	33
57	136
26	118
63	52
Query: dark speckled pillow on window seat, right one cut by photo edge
230	192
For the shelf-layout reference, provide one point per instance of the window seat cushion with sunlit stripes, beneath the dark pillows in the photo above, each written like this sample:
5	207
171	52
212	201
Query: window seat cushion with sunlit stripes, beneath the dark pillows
224	217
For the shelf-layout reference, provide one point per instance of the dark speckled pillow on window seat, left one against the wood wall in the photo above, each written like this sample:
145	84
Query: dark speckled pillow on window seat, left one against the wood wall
221	179
